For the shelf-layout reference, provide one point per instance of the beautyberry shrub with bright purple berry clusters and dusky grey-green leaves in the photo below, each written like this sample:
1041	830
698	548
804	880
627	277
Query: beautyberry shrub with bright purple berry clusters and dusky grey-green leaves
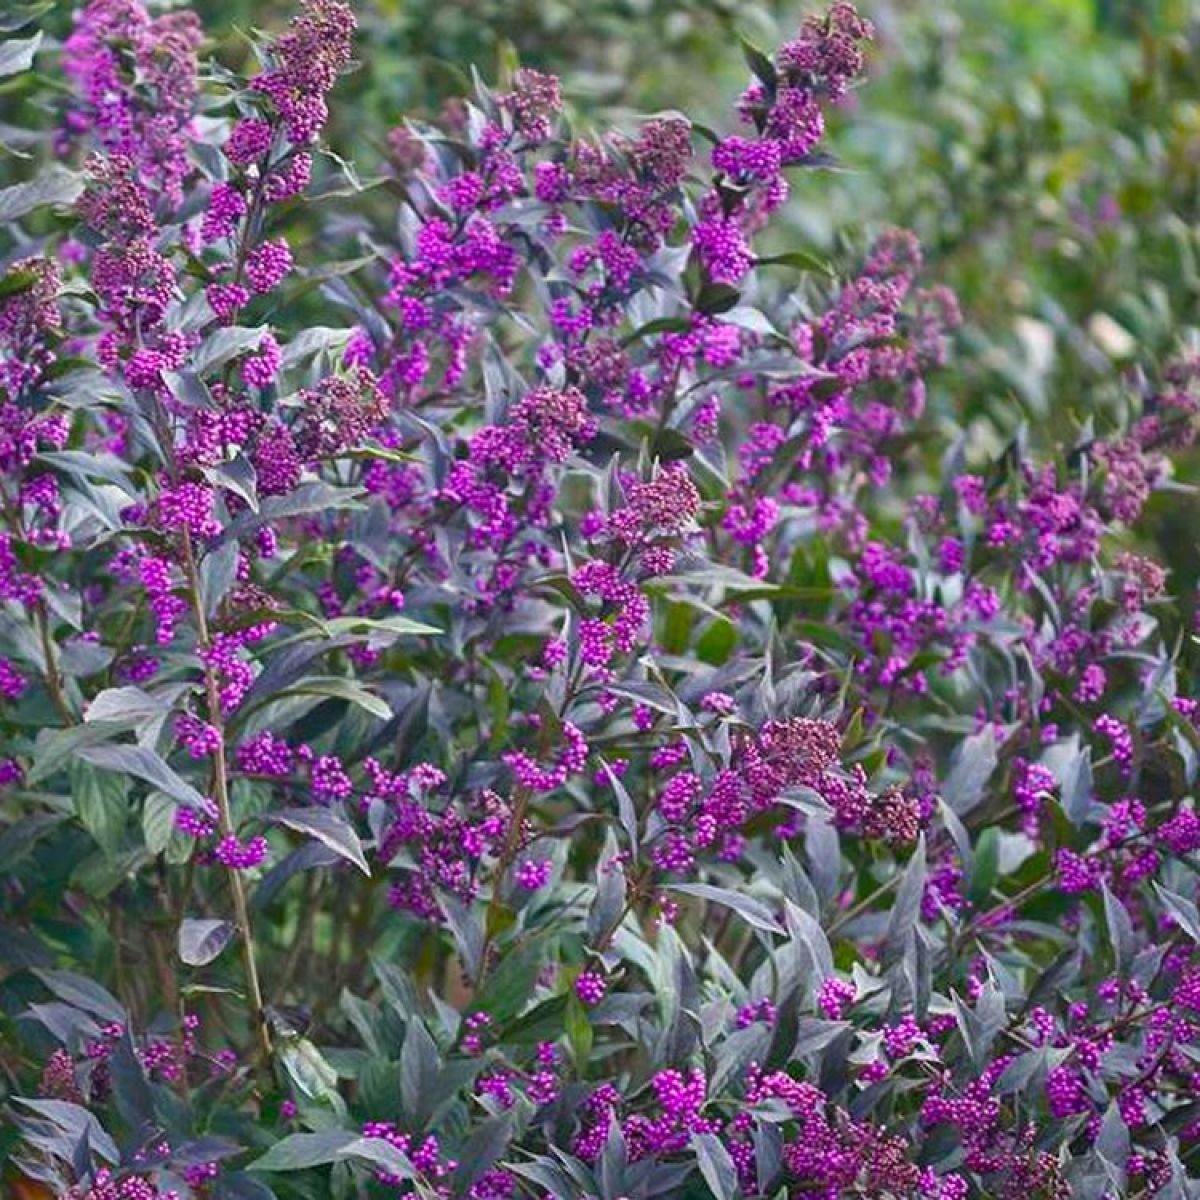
513	686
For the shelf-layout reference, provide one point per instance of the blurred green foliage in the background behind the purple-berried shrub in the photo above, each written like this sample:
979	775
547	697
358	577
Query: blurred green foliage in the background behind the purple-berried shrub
1048	155
